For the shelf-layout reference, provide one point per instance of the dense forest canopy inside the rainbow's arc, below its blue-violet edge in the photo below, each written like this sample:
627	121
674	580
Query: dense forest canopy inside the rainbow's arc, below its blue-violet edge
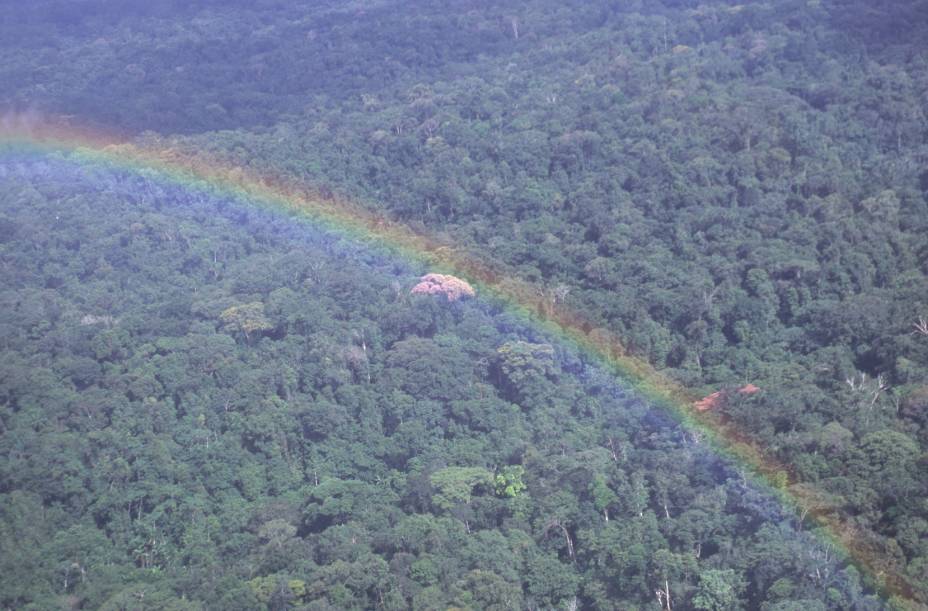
206	407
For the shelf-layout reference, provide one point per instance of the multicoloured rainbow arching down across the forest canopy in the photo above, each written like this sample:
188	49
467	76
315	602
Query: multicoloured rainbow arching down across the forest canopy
170	160
